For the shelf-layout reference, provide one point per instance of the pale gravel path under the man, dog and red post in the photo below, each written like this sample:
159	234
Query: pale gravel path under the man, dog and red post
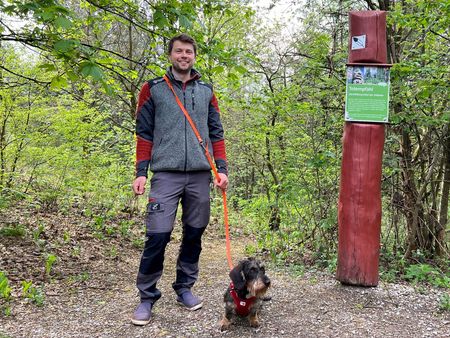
313	305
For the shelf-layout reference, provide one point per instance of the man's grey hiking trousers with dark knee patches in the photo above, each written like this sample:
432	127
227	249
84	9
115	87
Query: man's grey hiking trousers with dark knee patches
166	191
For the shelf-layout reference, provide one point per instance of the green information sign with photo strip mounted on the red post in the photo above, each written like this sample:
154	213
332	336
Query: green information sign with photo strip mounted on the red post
367	94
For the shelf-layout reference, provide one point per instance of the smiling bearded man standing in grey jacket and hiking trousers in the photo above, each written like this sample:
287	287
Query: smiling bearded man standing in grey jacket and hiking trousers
167	144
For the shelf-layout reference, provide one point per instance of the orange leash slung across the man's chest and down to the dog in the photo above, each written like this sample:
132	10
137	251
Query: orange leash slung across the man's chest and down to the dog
213	167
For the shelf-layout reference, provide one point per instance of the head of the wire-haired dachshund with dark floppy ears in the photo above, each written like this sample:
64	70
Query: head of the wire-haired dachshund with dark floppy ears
250	275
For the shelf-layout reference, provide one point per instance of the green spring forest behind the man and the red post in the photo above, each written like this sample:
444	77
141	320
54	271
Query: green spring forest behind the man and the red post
70	73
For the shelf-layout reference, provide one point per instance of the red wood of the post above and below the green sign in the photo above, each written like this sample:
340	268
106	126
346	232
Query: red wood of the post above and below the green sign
359	208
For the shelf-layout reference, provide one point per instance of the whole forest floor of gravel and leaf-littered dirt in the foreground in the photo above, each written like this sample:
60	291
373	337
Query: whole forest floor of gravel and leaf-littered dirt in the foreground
91	293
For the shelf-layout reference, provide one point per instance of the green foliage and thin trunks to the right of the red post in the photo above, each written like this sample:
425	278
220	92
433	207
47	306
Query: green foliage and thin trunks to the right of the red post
419	103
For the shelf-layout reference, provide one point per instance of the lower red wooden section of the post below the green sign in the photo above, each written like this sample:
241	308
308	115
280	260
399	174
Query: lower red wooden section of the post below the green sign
359	210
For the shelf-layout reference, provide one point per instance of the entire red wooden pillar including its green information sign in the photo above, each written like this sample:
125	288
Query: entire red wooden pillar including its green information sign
367	96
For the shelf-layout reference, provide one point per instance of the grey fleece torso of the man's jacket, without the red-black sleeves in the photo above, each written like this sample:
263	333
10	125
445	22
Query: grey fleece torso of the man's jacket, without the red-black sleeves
175	146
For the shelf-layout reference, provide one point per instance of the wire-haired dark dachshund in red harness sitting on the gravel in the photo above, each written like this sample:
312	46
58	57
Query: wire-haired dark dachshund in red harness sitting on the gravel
245	294
